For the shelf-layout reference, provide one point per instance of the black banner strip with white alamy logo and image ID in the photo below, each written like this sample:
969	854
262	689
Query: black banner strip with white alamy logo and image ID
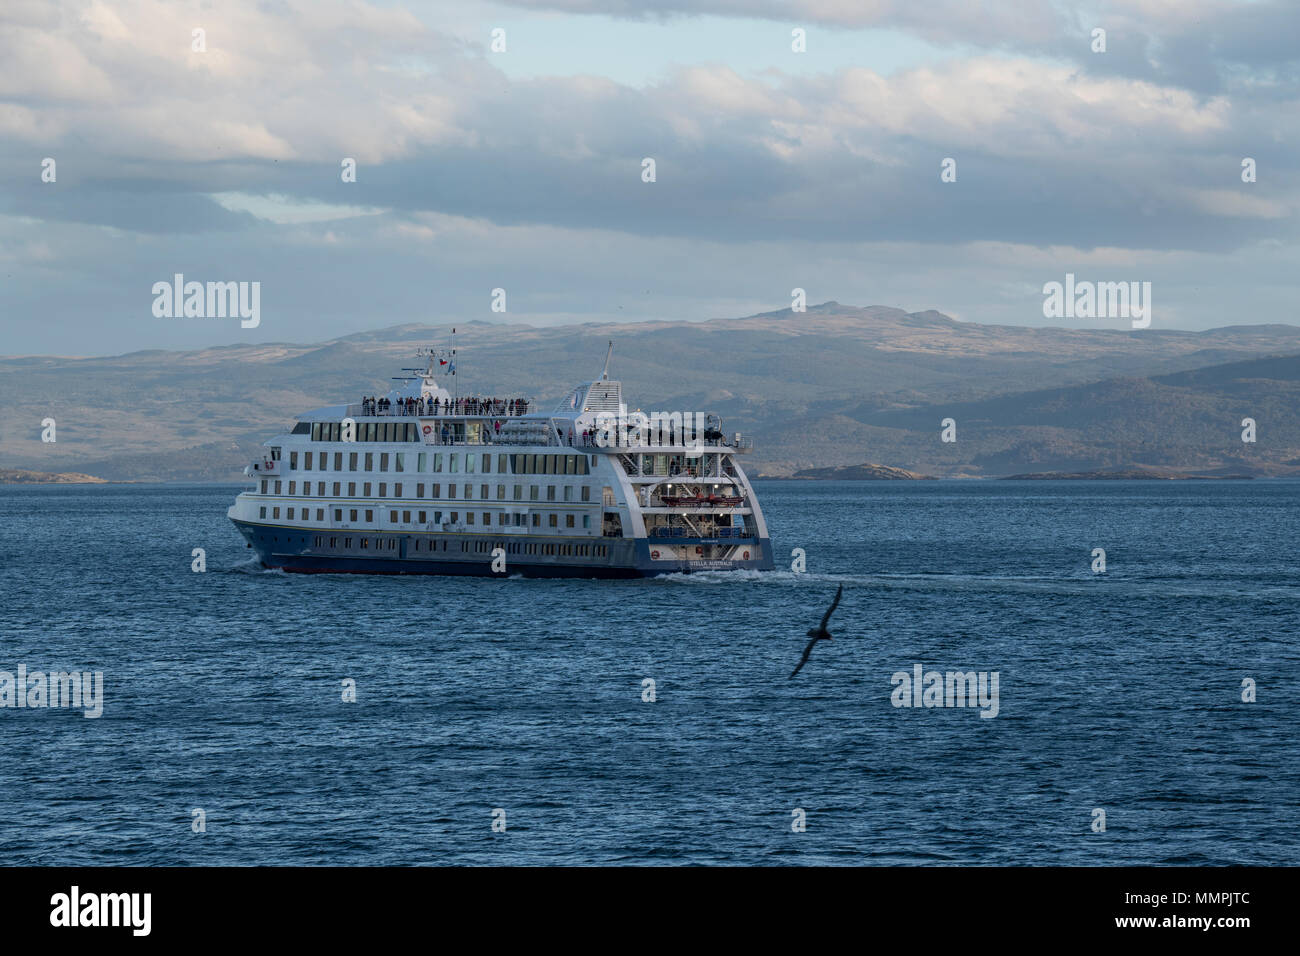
961	907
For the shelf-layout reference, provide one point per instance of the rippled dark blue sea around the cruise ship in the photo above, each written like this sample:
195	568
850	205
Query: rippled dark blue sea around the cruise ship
223	691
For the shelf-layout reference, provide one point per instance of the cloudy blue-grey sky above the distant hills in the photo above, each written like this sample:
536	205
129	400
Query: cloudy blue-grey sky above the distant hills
523	170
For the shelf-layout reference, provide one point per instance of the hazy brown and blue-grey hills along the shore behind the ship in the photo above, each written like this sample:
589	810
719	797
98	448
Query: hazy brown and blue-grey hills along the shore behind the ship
831	387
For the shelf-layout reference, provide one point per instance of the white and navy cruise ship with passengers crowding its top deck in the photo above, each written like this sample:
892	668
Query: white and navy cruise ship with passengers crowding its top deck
426	482
